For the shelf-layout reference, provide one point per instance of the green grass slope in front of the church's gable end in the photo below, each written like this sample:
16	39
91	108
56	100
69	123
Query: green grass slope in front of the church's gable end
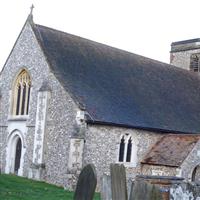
18	188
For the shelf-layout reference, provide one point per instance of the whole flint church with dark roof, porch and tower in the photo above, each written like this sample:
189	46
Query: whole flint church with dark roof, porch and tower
66	101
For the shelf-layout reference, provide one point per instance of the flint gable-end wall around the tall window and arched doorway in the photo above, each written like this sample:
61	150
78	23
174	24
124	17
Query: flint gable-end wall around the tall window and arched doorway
61	111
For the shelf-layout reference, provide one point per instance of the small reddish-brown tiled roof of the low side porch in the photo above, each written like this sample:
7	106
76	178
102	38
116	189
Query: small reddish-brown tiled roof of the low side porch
171	150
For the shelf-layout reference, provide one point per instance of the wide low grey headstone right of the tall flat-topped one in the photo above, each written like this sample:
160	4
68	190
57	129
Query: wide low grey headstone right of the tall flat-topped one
145	191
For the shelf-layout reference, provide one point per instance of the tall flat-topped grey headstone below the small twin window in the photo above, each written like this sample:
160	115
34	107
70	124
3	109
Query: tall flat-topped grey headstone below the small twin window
118	182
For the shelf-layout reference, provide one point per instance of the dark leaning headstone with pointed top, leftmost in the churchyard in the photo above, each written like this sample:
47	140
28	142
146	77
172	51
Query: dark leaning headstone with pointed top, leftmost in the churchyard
86	185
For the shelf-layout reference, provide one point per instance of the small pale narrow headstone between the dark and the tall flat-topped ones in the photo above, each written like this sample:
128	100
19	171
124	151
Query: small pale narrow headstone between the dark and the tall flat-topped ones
106	193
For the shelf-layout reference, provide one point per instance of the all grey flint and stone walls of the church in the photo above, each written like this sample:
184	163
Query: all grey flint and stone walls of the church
57	140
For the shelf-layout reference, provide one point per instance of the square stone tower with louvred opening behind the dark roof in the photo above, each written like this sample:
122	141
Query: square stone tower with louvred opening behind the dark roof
186	54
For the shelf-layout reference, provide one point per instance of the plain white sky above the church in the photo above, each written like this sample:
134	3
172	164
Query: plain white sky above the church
145	27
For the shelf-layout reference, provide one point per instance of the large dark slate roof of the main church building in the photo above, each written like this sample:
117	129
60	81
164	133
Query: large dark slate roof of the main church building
121	88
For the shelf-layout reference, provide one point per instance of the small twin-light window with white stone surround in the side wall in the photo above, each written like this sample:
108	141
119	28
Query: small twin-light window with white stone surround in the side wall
125	149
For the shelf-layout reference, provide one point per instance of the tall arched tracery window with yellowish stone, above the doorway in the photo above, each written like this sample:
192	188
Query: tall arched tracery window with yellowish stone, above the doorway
21	94
